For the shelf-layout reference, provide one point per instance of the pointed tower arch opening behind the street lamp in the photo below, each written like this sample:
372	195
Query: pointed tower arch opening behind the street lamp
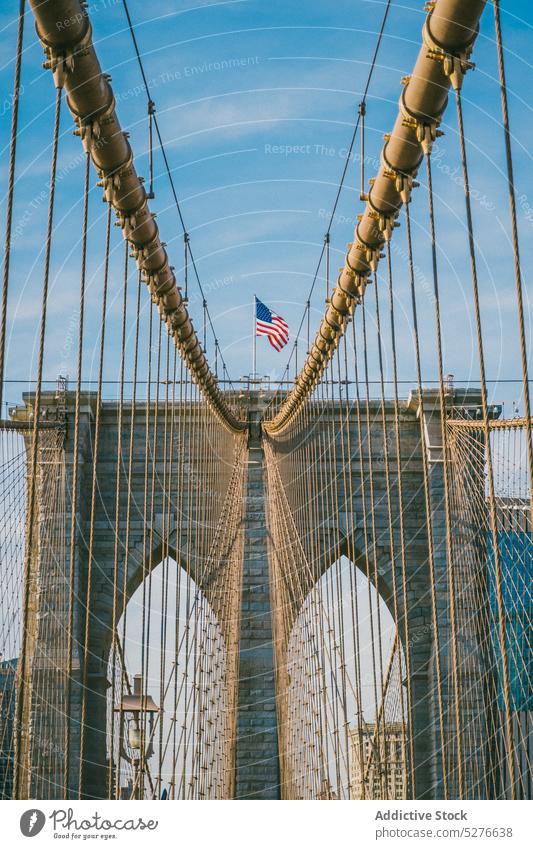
169	726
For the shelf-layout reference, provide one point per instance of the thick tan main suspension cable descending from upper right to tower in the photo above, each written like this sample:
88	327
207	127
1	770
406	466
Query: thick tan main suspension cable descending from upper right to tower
449	34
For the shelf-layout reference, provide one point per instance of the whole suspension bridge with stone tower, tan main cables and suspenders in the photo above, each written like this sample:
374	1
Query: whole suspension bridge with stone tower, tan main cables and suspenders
313	587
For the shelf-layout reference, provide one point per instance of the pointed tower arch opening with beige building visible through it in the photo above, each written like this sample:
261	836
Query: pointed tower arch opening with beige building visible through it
344	734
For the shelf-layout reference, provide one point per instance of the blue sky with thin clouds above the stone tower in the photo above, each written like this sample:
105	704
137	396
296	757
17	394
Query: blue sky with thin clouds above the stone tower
256	104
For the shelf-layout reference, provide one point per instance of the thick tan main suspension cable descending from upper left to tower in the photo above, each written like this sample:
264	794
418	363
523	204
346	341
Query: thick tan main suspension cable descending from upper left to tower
64	29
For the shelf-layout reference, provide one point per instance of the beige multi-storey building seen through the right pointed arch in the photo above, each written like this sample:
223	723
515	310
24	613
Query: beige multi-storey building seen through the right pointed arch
378	763
